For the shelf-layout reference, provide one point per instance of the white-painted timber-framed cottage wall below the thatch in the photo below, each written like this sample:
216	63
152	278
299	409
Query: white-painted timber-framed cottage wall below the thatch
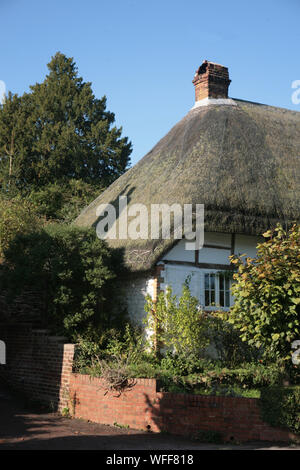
214	254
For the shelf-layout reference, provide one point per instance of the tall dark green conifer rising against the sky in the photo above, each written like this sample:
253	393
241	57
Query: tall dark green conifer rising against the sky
58	132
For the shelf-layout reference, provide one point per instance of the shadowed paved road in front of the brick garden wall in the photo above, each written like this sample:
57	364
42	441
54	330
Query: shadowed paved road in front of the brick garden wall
21	428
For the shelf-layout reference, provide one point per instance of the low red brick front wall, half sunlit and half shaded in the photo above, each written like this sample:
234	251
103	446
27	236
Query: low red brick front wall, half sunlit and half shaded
142	407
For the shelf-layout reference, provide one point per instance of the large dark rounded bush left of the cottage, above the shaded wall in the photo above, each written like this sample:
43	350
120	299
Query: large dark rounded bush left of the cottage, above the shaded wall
72	273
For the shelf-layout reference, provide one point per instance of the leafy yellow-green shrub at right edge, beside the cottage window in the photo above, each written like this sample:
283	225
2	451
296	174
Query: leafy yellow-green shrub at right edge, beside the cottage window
267	293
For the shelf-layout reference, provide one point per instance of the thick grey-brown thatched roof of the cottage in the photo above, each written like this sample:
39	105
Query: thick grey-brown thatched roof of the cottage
241	161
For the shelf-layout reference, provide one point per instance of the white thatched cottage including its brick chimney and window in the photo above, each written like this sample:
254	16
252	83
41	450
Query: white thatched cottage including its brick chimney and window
238	158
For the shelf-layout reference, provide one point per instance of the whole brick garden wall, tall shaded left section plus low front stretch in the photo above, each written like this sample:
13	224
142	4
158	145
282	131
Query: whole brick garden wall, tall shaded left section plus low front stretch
40	366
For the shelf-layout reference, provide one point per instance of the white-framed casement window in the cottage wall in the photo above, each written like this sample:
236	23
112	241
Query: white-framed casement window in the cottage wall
217	290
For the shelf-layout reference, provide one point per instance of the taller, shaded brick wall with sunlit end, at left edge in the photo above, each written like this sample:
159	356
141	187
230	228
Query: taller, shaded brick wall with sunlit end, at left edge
37	364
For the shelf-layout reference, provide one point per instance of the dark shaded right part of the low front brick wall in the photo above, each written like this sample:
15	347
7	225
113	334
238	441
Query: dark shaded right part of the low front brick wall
211	418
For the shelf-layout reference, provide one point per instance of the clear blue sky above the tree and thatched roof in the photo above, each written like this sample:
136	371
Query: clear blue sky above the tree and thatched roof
143	54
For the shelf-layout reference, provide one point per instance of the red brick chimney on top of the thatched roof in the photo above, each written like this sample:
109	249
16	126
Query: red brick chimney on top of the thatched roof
211	81
